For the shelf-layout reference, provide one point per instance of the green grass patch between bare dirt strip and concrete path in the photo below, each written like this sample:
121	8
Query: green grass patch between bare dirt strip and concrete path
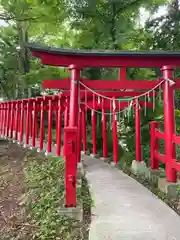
46	194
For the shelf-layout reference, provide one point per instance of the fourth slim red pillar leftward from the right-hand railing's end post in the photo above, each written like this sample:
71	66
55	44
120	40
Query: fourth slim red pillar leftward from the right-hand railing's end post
93	119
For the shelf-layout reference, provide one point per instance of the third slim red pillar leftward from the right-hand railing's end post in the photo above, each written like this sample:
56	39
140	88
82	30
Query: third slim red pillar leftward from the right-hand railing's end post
104	136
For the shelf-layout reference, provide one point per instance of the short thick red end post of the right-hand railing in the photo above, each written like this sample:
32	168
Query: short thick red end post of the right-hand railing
154	163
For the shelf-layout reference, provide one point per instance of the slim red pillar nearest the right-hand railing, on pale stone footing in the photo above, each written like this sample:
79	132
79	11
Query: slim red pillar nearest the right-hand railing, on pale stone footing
138	131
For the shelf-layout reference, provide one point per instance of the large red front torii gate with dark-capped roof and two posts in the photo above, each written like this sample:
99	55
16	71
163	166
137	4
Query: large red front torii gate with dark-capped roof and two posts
76	60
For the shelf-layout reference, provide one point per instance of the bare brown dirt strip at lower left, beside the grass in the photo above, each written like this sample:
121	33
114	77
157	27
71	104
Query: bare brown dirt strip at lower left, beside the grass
13	216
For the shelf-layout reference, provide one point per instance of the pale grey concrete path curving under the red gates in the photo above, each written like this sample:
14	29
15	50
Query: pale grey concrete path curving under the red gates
124	209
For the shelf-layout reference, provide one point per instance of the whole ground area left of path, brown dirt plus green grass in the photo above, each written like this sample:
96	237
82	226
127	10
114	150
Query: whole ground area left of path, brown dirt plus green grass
32	192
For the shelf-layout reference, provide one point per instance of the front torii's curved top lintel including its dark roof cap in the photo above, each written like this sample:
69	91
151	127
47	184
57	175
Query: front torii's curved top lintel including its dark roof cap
103	58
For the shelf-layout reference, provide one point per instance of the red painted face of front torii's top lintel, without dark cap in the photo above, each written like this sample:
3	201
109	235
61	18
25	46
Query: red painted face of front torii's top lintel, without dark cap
82	61
